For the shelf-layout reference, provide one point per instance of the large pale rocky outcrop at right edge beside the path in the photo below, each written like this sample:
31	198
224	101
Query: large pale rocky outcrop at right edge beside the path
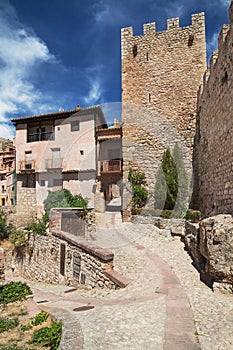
211	246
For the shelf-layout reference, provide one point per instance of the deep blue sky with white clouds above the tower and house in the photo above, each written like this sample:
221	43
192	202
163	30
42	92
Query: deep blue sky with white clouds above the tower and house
60	53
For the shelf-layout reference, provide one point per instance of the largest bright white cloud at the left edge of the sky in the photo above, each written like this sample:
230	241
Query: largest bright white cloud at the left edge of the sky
21	52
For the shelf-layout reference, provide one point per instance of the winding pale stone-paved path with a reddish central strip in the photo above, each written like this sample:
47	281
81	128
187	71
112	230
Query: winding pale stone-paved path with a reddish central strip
165	306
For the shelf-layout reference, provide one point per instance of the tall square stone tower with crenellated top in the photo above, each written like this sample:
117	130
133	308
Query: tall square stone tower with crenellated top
161	73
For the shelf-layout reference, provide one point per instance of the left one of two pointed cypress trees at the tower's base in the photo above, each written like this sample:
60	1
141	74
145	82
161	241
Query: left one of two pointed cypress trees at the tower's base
167	185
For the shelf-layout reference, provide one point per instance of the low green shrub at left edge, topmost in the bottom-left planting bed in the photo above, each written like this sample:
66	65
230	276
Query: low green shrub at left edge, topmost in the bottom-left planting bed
14	291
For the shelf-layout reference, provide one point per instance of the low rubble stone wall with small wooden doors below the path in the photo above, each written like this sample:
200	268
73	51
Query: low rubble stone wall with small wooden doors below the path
59	259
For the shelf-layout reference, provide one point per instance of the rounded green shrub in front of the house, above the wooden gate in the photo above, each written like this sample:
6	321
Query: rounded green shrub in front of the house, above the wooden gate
64	199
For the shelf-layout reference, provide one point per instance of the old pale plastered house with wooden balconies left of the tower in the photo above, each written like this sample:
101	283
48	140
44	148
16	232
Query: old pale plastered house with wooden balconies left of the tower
63	150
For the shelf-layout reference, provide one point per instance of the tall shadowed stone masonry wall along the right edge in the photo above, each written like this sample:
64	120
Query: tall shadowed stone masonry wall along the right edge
213	157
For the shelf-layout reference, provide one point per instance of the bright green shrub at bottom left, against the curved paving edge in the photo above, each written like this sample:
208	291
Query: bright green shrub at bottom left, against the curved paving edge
48	336
